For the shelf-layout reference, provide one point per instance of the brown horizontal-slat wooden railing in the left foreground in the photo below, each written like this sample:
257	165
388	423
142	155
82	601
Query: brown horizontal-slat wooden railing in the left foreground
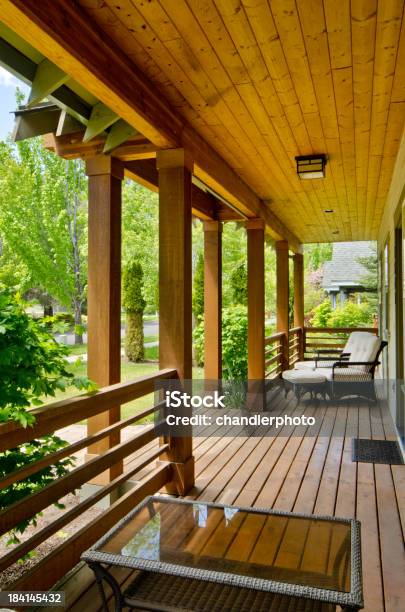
53	417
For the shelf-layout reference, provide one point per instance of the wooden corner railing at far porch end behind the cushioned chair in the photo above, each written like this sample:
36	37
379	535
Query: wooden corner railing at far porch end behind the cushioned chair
303	343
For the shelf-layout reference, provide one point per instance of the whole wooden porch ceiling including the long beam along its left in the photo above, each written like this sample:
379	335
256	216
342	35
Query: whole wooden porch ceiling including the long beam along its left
255	82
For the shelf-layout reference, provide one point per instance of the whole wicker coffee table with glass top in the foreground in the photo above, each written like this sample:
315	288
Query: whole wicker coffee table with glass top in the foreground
191	555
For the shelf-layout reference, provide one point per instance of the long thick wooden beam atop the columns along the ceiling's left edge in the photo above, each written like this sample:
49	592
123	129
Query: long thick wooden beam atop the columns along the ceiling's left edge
64	34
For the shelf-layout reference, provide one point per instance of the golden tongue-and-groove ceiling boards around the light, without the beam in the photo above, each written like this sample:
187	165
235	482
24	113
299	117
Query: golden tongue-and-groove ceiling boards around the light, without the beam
264	81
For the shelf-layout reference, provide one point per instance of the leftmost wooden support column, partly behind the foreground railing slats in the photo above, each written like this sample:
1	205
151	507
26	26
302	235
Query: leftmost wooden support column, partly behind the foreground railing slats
104	291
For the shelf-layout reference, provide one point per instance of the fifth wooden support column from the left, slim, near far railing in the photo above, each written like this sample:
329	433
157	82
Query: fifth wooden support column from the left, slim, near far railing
283	296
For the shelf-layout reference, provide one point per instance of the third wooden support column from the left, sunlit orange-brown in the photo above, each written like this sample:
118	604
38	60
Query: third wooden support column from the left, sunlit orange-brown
213	300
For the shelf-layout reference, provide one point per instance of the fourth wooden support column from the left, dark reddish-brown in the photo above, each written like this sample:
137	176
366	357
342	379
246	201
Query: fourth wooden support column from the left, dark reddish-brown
255	245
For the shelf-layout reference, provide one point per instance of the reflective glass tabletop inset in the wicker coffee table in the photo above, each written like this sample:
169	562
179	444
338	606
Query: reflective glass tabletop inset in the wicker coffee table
284	548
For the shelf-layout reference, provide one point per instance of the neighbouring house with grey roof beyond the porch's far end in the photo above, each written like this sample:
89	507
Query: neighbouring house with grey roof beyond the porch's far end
344	275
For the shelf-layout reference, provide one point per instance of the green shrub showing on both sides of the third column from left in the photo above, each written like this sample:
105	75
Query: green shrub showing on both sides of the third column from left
234	343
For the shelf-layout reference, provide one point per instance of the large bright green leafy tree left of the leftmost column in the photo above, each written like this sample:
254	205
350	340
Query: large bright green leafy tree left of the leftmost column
43	215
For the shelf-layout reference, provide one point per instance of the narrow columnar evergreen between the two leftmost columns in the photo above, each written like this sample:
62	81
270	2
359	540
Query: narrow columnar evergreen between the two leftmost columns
134	304
